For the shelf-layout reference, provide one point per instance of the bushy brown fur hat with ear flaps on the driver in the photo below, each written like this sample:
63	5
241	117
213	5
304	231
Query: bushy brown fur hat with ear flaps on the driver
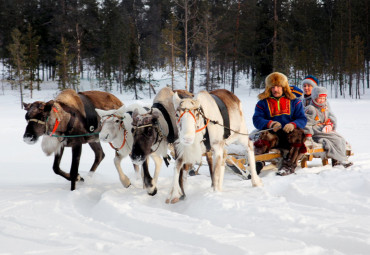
276	79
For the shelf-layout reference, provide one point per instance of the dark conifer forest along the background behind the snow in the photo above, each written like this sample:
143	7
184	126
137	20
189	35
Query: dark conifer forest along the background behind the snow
122	42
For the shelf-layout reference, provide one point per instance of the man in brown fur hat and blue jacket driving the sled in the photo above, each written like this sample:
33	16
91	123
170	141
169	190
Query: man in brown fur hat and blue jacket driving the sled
279	109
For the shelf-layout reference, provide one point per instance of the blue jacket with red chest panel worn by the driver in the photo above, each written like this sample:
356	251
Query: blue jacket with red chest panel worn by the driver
282	110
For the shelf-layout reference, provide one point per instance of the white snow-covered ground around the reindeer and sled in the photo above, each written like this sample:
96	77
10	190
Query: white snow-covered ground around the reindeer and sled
319	210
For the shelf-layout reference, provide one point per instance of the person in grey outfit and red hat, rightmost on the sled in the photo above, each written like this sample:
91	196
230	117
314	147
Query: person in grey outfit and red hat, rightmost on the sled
321	126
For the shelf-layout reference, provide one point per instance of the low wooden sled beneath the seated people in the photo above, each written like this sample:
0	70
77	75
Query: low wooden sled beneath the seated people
237	163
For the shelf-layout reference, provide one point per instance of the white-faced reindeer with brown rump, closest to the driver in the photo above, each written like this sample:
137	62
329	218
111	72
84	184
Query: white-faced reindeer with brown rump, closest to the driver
193	117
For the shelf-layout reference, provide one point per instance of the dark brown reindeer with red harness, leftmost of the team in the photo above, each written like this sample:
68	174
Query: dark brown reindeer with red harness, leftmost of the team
68	121
